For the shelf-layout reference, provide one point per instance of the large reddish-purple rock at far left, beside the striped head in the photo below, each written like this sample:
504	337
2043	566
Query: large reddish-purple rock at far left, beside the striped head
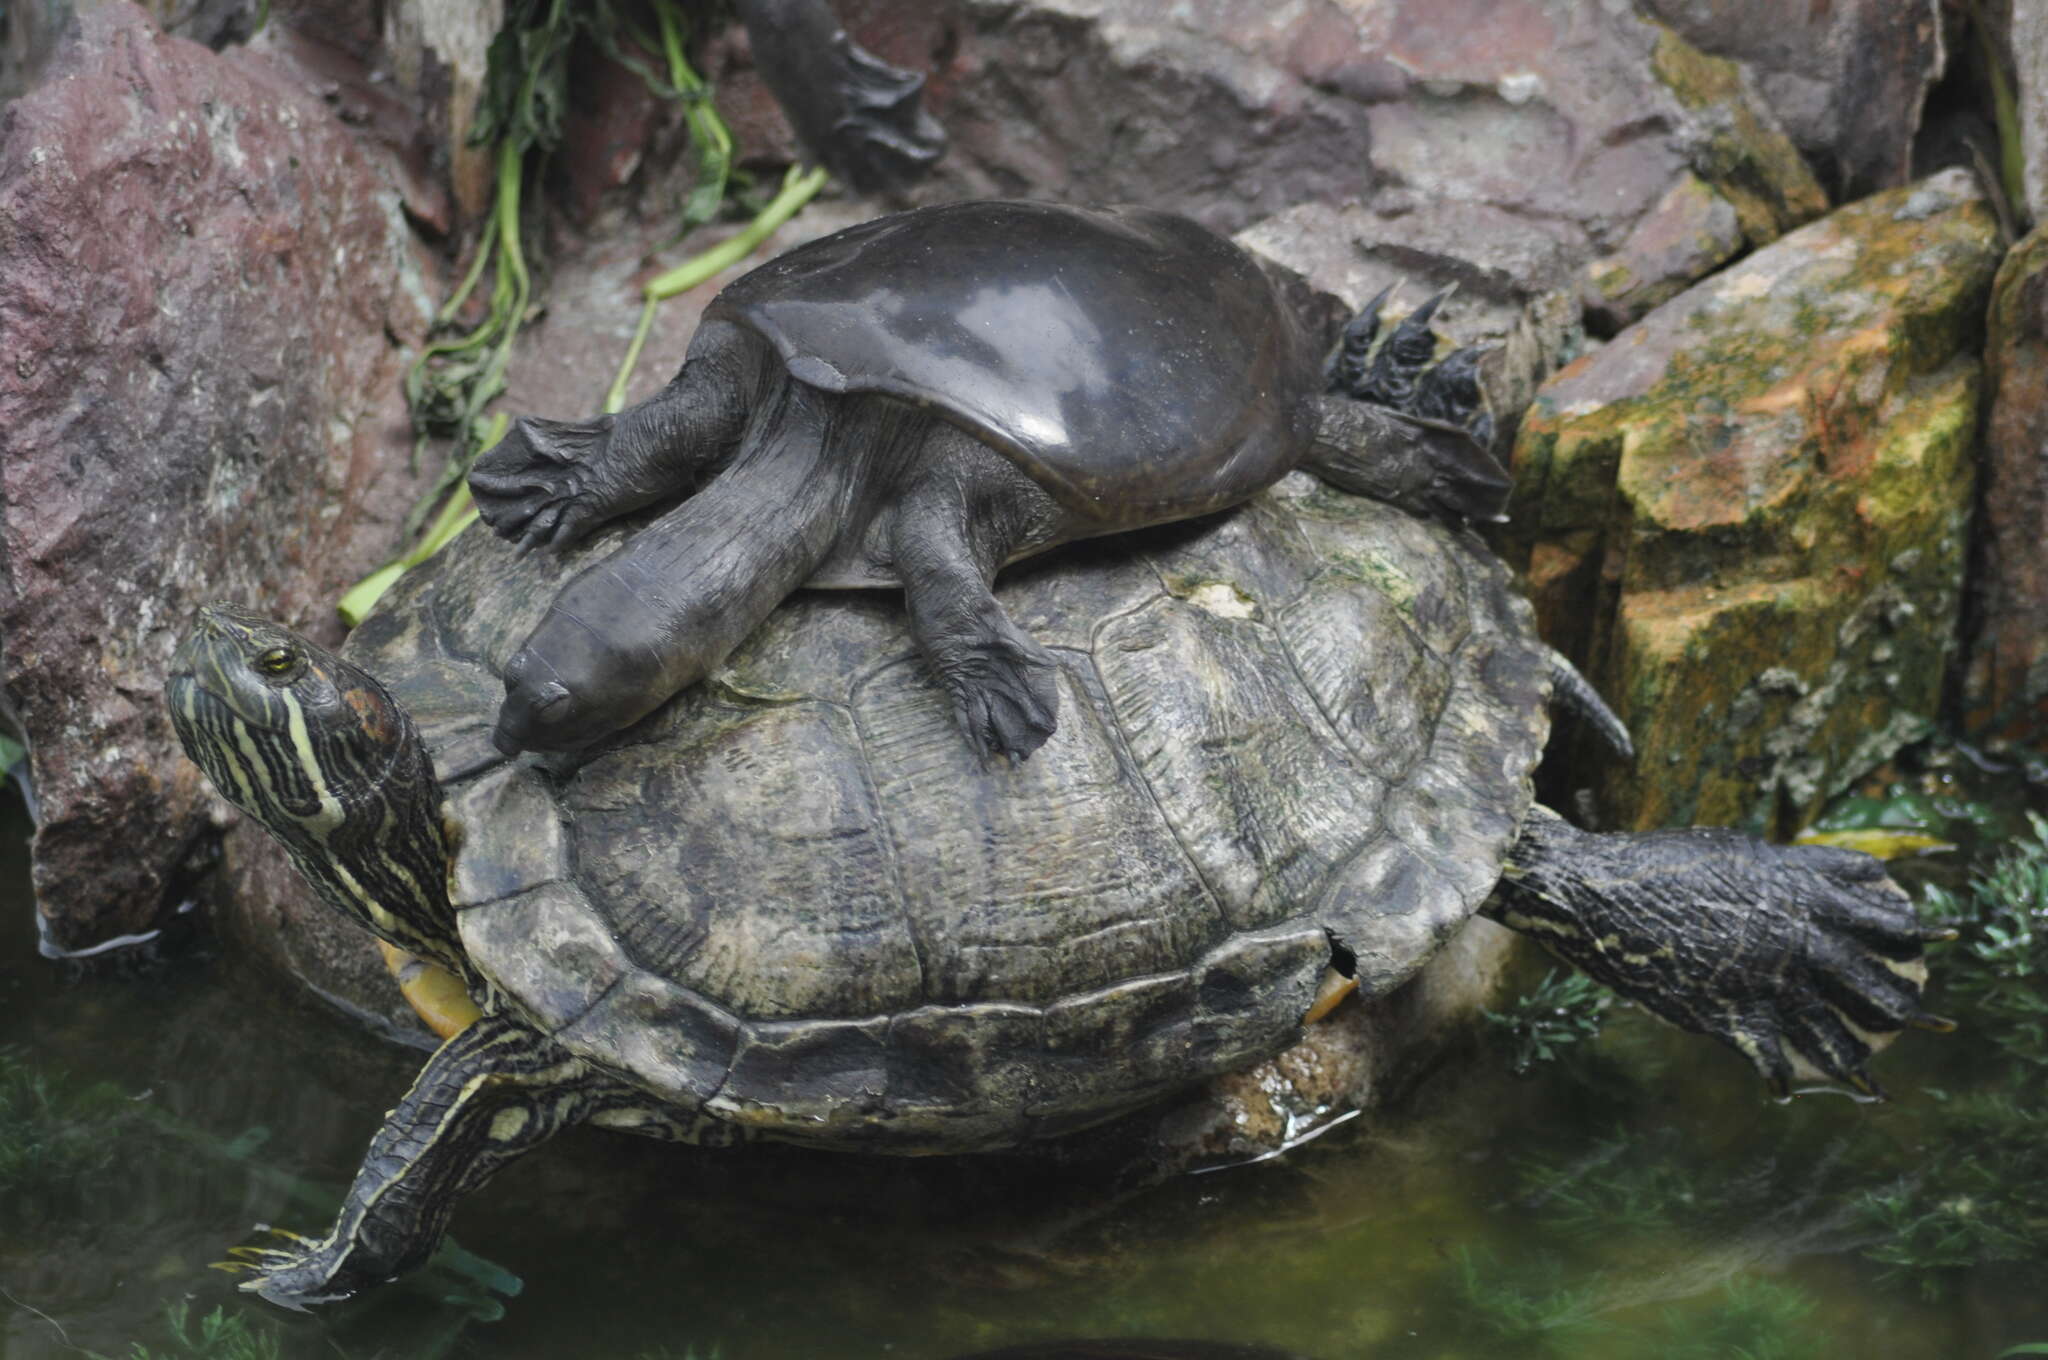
202	400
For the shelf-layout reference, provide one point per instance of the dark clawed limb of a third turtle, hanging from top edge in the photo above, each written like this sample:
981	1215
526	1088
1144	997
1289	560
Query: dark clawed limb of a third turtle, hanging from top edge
859	116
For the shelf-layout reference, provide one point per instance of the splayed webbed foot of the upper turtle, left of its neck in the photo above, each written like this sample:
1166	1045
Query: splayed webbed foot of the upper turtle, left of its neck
534	486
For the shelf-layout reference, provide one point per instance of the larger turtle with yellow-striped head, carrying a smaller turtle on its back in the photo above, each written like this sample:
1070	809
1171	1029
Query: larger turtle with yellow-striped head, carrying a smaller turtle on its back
796	904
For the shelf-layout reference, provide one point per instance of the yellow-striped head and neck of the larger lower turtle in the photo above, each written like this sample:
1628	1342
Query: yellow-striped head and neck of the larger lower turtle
327	761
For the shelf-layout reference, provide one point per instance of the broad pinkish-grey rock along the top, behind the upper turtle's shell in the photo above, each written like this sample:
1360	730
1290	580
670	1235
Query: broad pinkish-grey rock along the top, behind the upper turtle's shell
1558	114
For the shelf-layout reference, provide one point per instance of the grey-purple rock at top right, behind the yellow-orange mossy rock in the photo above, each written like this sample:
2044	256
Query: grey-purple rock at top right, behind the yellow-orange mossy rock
1848	79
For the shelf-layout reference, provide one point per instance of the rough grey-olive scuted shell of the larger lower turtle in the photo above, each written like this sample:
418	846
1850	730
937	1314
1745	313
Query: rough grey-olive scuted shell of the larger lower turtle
794	898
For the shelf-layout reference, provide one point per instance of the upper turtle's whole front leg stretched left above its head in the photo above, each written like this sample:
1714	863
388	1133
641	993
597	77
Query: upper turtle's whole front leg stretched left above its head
552	482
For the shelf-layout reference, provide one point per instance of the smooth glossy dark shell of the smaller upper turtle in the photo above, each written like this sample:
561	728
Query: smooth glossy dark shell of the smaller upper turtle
1136	364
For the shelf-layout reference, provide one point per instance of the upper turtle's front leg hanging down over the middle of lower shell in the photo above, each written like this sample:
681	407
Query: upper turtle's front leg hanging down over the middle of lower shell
966	515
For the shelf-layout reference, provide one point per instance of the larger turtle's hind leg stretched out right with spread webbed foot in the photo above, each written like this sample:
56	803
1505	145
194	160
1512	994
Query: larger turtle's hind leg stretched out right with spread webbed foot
1801	958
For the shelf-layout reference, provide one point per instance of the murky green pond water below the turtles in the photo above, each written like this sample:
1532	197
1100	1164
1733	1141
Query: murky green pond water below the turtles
1639	1199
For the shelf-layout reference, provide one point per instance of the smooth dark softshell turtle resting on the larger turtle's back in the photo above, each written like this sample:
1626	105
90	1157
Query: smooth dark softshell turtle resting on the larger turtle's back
916	402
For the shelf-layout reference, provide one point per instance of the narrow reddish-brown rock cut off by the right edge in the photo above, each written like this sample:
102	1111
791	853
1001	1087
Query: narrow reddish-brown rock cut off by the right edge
2008	667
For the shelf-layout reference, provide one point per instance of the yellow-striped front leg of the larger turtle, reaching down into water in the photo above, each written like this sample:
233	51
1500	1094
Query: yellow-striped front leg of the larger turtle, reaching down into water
490	1095
